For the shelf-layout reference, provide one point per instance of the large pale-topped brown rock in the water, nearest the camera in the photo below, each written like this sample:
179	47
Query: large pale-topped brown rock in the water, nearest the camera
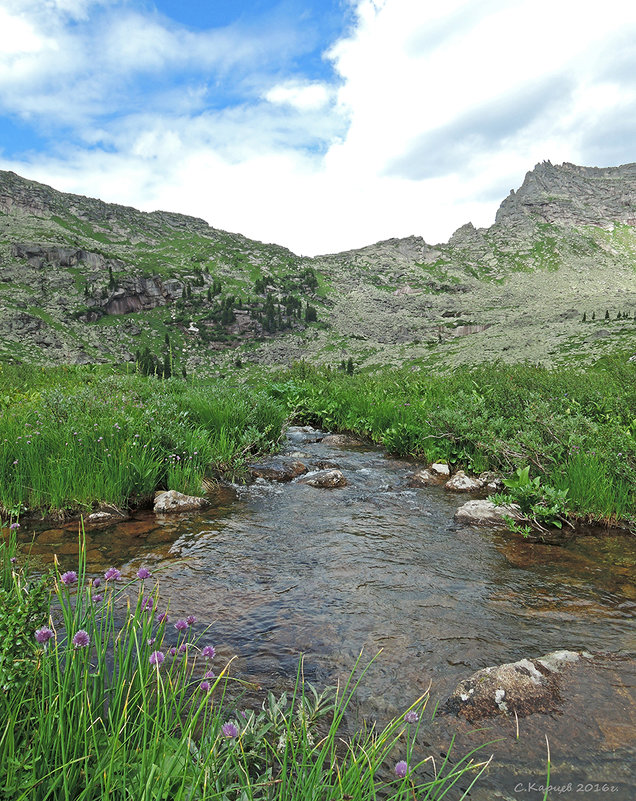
524	687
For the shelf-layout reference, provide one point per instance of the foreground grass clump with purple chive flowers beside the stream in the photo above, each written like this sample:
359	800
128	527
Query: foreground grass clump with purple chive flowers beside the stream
89	711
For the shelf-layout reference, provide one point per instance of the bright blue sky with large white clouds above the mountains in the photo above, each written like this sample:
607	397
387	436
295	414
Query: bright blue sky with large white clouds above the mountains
321	125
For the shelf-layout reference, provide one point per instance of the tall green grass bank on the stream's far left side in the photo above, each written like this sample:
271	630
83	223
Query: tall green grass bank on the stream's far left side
73	437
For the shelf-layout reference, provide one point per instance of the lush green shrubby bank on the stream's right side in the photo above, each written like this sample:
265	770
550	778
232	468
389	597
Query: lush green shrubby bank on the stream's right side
575	430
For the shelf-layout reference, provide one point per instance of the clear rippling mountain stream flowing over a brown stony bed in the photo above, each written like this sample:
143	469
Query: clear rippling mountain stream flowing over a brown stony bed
281	570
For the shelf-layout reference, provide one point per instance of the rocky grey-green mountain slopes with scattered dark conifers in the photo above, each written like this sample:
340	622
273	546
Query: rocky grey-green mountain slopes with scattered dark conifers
82	280
